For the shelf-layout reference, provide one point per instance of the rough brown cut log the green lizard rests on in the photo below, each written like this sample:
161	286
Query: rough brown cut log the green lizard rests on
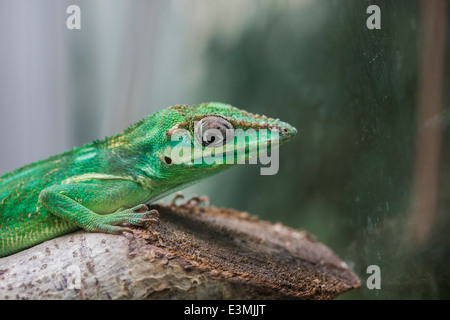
194	253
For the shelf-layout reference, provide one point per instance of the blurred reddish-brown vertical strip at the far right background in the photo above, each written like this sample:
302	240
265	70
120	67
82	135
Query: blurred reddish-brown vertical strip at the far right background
429	124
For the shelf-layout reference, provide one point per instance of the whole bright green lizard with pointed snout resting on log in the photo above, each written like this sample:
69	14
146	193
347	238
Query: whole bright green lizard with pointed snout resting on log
106	183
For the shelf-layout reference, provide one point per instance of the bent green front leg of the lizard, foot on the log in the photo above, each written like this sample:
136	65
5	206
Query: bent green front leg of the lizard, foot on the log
99	205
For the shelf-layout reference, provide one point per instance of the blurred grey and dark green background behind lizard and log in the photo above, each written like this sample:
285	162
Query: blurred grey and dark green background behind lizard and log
351	177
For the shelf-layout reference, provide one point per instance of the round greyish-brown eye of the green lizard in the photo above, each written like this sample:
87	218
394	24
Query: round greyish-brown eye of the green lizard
213	131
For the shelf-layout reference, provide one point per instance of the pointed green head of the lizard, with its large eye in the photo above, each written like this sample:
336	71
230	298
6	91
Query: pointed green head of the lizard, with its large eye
192	143
